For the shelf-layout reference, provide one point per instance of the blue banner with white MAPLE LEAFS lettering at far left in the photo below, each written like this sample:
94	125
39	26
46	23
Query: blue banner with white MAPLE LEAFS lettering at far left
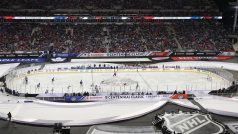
22	60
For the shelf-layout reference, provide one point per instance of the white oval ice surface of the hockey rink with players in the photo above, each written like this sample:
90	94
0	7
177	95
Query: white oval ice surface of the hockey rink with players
126	80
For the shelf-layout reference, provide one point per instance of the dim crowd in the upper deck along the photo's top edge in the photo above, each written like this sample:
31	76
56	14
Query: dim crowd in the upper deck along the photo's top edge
106	4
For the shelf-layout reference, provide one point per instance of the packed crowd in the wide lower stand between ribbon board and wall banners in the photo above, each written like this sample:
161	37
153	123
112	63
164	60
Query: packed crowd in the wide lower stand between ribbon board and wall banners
86	38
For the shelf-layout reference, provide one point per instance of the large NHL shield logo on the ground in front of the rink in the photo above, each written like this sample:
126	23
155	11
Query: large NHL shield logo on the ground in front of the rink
192	124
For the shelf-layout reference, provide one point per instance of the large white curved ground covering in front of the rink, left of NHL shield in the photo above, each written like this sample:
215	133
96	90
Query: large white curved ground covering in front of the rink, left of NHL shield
36	113
